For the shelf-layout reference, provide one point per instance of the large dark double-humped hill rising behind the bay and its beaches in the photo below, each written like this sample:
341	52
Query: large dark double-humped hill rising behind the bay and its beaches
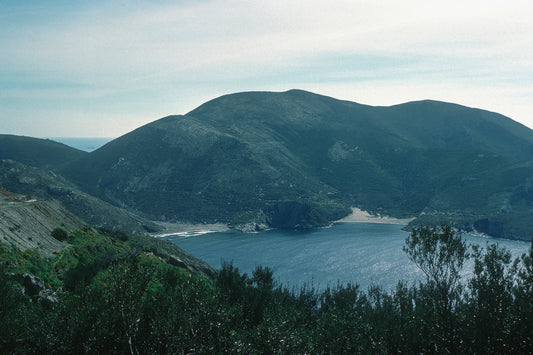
299	160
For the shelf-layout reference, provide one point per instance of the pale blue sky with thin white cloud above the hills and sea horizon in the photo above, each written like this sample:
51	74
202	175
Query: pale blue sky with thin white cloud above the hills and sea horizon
103	68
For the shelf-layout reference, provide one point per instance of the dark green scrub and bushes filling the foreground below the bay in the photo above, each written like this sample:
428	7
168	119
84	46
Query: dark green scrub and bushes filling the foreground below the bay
110	293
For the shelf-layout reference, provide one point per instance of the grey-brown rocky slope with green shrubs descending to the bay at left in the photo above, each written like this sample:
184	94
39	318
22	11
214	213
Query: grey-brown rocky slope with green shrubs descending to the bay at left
29	224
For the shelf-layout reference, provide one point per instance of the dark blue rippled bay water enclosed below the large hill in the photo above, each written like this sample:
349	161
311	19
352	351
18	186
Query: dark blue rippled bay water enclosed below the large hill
359	253
